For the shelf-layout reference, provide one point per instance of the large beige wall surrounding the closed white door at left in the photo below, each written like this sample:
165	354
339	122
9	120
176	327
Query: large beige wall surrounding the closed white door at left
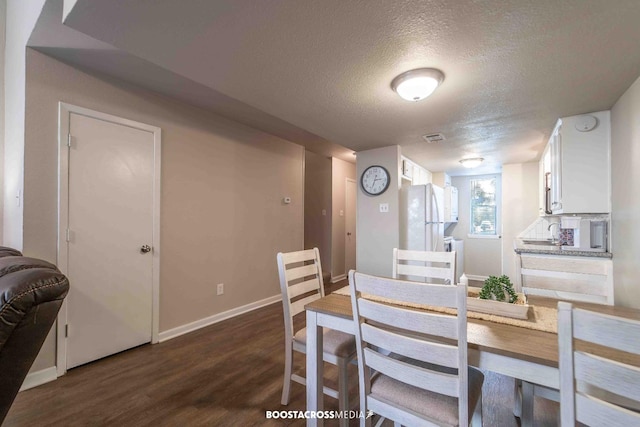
222	213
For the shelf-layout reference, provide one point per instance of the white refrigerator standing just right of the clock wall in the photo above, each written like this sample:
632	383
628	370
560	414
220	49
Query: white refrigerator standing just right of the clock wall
422	218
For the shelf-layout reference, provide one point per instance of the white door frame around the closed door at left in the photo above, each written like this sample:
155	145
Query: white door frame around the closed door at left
62	261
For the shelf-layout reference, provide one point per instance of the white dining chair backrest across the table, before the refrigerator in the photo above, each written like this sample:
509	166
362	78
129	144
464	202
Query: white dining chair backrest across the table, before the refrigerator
424	266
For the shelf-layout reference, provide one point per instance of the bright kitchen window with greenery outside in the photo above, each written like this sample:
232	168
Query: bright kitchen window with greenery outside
485	206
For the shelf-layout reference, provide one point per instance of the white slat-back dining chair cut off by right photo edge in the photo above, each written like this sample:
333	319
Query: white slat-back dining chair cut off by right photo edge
596	390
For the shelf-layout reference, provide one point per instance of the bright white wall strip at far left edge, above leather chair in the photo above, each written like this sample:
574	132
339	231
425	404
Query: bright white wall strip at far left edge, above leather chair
21	17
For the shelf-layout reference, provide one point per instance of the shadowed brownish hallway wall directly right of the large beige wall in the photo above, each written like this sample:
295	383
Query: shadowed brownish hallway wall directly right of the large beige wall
317	200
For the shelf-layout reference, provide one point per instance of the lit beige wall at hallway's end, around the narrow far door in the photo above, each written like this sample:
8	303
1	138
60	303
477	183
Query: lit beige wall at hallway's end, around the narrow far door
340	171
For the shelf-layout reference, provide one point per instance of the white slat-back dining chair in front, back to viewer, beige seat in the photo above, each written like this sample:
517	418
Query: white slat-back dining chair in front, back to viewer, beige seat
404	375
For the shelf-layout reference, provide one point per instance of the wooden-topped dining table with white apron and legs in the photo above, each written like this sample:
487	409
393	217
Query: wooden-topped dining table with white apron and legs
518	352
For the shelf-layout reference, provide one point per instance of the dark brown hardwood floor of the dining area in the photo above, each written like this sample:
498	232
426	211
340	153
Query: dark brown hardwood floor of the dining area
227	374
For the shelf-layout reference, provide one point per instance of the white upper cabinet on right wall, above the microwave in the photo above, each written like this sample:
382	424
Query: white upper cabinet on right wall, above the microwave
580	162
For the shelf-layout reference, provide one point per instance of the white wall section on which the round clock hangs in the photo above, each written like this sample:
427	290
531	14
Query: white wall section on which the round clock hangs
378	233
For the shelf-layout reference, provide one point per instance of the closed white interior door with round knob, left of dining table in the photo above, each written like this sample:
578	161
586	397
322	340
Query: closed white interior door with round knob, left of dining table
110	223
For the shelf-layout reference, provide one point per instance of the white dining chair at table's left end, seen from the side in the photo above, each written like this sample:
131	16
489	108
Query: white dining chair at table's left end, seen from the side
301	283
